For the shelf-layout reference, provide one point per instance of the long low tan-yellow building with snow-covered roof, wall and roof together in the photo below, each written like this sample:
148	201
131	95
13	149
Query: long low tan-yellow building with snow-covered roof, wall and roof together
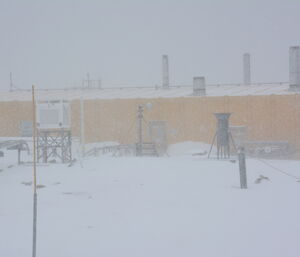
270	112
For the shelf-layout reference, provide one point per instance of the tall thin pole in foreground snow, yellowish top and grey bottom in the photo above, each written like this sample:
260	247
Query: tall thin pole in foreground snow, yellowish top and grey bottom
34	176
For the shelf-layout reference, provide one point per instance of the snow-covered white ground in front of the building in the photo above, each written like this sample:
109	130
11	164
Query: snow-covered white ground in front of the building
178	206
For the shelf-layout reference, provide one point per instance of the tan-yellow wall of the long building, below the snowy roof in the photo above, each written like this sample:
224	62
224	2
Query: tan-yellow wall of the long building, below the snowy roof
273	117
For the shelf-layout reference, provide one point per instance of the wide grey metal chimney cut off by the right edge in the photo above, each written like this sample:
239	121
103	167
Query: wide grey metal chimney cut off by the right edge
294	64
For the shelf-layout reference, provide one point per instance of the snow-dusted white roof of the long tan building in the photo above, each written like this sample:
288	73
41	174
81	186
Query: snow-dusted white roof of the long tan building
148	92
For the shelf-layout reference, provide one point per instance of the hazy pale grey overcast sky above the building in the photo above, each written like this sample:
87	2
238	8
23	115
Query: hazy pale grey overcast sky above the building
54	43
